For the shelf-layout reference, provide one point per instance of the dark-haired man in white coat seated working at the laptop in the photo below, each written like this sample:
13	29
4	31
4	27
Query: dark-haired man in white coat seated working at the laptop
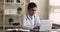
30	19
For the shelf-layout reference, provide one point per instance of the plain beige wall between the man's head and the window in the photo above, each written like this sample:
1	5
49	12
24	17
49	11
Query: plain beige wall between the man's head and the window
42	9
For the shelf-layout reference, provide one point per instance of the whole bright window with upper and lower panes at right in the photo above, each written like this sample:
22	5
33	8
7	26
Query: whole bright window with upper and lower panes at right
55	11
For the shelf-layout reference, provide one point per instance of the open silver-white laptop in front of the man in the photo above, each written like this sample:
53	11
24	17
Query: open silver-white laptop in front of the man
46	25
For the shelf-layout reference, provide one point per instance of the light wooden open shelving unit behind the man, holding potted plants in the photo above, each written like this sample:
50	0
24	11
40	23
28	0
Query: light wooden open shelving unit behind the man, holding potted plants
4	16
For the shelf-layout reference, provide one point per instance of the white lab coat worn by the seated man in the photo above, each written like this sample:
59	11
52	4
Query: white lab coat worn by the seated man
30	21
